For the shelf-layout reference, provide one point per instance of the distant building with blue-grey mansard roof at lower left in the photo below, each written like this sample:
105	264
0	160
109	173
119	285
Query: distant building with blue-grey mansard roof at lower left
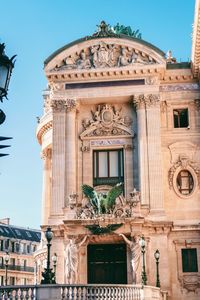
20	244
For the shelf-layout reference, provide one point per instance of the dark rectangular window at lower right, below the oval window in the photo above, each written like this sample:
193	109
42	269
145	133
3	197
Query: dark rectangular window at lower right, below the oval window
189	260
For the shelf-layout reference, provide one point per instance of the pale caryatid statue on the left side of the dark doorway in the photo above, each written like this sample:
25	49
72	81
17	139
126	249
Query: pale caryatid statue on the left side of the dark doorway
72	259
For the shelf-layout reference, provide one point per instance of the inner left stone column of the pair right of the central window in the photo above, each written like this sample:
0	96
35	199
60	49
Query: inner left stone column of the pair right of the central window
139	103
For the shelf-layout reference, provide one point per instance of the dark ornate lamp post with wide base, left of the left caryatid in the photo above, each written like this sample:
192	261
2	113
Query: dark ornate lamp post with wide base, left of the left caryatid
48	275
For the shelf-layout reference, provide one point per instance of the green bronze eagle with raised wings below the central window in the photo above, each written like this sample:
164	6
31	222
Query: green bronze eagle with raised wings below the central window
102	203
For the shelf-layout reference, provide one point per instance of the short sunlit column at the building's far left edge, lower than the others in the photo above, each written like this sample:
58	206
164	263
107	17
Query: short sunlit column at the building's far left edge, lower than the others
46	193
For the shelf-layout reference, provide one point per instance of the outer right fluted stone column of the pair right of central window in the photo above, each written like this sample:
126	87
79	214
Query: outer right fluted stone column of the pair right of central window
152	102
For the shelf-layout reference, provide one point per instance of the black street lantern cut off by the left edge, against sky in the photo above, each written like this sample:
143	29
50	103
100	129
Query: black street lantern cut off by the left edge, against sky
6	66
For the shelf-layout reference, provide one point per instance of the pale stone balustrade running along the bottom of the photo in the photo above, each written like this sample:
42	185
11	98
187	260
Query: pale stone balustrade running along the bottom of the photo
82	292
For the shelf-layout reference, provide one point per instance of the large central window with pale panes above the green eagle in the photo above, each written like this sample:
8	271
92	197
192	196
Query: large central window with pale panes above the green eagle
108	167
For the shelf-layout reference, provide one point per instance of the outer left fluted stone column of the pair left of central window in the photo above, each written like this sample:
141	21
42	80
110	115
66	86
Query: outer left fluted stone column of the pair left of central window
58	156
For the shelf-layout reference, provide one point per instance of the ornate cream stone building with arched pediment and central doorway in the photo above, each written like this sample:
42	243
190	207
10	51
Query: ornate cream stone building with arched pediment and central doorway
120	139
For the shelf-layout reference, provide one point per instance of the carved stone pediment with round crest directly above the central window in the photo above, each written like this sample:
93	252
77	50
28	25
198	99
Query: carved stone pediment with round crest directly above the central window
106	120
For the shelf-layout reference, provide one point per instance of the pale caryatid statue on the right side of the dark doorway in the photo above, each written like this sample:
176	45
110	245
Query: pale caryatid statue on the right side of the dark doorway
135	253
